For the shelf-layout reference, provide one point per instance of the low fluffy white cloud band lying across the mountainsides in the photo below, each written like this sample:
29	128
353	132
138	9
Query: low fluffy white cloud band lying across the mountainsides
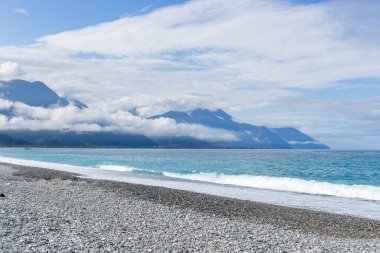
101	118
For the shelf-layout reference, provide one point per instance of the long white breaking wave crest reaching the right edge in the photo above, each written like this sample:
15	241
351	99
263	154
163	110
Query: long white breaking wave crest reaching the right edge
286	184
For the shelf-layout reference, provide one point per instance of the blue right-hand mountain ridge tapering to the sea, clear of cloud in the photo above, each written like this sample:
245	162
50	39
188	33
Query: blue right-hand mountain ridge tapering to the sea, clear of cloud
249	136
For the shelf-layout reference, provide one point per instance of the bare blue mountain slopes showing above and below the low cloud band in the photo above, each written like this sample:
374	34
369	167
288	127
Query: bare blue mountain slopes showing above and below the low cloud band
38	94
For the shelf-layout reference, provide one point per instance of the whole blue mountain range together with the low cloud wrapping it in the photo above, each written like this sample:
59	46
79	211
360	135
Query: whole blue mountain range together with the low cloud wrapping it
33	113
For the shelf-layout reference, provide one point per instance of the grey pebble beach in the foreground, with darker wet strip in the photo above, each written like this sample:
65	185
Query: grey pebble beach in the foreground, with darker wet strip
45	210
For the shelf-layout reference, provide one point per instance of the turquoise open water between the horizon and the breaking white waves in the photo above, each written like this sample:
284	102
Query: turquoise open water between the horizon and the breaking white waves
341	167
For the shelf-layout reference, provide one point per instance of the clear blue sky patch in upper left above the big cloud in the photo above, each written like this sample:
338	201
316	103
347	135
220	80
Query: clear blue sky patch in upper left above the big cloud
48	17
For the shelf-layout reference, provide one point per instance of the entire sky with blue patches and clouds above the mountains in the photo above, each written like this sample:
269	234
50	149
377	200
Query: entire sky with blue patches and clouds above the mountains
313	65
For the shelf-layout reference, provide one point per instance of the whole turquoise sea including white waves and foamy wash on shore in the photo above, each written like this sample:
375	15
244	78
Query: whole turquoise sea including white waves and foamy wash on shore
342	182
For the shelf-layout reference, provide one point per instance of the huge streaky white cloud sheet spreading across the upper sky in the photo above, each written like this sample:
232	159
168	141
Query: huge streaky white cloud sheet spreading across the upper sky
210	46
